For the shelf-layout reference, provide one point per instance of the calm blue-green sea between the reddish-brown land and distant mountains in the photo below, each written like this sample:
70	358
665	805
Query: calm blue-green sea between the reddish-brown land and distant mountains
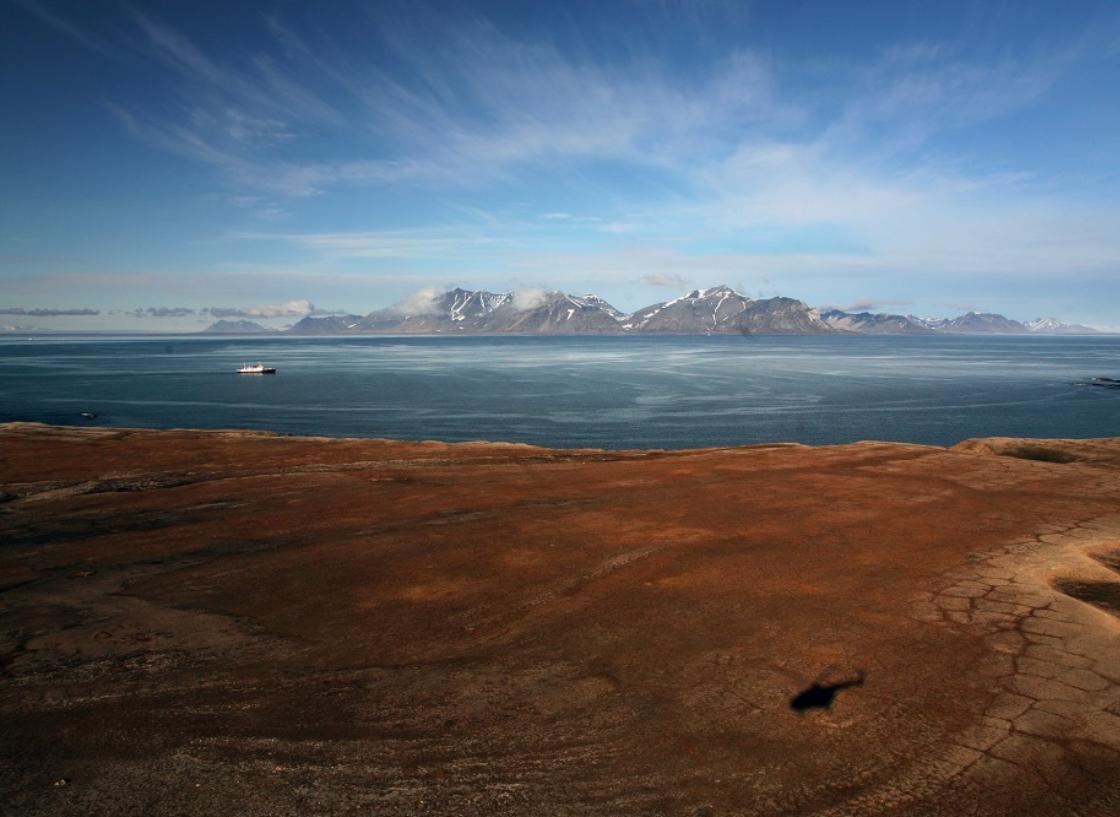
612	393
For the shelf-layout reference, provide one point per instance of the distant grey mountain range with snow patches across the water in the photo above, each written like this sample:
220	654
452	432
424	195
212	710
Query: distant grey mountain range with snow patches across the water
717	311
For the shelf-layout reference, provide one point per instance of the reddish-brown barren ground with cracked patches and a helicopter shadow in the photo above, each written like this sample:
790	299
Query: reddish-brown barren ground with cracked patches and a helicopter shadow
228	624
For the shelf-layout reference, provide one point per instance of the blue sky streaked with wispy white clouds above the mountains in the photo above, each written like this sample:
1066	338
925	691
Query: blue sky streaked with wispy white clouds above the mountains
165	164
